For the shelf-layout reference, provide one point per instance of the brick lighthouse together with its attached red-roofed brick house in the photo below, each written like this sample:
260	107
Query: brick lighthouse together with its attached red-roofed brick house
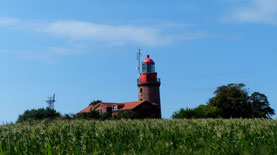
148	104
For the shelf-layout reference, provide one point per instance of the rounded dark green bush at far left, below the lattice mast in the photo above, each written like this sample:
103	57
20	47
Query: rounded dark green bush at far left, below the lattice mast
38	114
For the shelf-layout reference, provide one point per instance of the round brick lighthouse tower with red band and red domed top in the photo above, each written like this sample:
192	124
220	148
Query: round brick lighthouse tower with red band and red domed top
149	84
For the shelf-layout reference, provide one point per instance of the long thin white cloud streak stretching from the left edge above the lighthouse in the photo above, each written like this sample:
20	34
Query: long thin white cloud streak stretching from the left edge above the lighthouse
115	35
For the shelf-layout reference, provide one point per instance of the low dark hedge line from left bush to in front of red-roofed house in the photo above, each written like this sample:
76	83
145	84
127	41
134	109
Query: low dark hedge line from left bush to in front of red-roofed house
51	114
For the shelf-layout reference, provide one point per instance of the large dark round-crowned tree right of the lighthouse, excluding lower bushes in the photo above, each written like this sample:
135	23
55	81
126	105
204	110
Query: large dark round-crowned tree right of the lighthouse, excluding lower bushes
235	102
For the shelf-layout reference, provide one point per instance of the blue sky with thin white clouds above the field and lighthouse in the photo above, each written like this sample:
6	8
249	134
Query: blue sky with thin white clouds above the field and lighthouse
86	50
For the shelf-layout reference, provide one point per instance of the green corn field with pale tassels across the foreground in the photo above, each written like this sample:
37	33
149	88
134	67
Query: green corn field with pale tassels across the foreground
199	136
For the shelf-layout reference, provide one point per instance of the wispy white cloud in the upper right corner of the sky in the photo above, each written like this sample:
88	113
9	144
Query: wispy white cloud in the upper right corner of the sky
257	11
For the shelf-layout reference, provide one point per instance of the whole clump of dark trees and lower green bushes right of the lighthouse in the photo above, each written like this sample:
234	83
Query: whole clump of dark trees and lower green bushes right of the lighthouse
231	101
